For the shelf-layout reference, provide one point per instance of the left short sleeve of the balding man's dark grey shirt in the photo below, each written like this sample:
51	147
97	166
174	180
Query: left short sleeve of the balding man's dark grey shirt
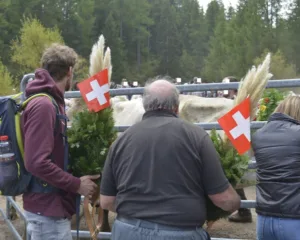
108	183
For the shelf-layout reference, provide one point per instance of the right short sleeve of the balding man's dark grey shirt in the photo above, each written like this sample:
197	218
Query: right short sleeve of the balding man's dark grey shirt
213	177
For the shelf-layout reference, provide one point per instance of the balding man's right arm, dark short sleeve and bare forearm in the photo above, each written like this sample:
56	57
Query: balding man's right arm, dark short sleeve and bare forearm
215	183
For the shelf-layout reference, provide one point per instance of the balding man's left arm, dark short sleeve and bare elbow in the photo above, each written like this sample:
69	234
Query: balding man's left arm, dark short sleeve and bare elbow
108	188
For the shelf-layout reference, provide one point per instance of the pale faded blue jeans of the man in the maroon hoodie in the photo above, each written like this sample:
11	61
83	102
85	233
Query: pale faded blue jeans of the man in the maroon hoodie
48	228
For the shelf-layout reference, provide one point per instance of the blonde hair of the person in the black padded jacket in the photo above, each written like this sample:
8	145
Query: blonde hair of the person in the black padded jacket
290	106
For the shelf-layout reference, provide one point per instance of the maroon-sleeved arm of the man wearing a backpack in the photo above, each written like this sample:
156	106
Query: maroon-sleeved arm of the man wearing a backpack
39	144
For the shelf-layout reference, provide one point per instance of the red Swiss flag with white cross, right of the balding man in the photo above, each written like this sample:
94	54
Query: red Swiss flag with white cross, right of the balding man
236	125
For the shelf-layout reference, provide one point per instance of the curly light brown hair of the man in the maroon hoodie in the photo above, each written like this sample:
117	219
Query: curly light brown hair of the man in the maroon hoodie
57	60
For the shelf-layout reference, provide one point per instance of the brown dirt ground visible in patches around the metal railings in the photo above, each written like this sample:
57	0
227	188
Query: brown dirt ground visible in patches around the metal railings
220	229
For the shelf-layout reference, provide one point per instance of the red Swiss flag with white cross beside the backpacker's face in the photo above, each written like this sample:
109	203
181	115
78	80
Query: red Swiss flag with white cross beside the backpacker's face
95	91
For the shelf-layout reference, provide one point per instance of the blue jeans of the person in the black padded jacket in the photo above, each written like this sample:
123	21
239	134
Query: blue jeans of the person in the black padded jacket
273	228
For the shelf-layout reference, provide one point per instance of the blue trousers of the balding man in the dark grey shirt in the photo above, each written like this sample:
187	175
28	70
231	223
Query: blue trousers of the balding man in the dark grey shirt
125	231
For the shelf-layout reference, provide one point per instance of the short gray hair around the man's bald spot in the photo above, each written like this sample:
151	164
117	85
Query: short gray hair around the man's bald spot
155	101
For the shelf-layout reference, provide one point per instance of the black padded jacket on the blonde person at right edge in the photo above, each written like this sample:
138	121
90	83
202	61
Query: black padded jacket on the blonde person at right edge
277	151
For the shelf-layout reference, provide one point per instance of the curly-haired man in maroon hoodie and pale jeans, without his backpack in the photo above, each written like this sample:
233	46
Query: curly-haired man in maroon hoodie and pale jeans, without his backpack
49	202
